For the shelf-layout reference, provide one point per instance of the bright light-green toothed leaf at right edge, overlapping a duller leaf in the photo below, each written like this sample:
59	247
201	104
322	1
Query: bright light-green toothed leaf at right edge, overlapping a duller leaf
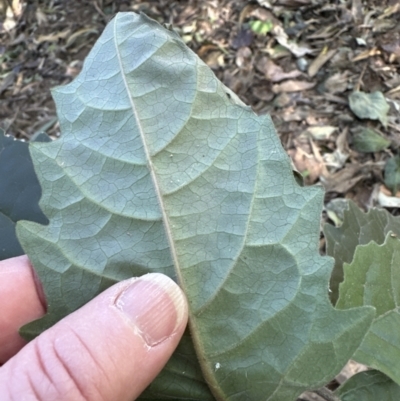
373	279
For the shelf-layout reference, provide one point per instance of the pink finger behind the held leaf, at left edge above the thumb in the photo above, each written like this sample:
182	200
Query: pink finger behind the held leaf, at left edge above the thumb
20	303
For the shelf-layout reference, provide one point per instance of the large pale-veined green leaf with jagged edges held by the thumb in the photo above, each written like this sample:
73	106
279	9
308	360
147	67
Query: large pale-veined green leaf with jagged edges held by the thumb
162	168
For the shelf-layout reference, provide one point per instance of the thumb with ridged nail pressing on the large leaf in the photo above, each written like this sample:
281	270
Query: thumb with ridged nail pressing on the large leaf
110	349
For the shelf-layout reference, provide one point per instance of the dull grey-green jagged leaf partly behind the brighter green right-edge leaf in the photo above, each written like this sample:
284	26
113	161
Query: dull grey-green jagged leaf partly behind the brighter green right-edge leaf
358	228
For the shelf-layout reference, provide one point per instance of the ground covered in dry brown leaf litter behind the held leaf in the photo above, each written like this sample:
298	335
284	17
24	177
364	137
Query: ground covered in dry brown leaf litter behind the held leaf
327	71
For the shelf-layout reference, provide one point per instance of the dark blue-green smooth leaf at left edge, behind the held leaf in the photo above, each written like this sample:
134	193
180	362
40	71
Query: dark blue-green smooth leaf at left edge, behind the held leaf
19	193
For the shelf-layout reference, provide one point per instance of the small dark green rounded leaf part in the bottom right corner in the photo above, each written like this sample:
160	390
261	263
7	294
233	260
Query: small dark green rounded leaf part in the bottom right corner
371	385
